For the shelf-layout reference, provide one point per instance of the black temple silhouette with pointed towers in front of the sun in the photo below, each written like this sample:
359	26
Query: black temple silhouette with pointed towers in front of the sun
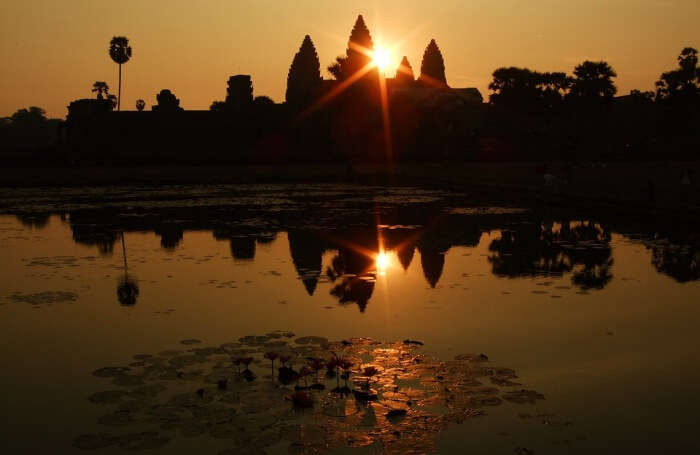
320	120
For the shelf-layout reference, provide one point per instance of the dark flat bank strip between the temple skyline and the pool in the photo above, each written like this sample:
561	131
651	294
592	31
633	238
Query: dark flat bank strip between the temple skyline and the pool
622	188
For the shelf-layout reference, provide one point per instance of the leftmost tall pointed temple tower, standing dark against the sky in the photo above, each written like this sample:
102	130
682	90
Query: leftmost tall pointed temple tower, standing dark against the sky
304	78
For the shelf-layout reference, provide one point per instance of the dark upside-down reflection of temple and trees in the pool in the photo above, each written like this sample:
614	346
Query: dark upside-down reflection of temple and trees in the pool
527	246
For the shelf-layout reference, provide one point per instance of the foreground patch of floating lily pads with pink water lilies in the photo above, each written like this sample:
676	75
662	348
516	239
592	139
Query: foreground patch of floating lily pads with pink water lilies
310	394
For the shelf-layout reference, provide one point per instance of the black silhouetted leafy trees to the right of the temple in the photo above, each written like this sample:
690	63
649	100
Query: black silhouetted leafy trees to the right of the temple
557	116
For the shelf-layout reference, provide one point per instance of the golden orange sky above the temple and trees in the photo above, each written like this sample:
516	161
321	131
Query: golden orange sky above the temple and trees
52	51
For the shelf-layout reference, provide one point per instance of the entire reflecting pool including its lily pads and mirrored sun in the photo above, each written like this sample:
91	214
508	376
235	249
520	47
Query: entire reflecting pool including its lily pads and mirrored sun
127	315
